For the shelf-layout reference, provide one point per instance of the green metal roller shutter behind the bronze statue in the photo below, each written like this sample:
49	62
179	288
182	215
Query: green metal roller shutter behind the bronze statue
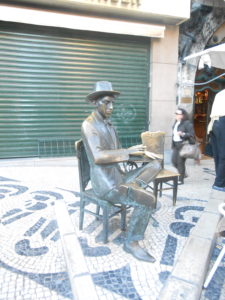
45	77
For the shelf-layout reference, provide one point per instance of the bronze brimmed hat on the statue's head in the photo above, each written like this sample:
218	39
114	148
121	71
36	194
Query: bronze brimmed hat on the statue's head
102	88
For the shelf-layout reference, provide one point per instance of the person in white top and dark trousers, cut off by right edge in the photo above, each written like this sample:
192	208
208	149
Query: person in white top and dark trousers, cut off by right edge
216	129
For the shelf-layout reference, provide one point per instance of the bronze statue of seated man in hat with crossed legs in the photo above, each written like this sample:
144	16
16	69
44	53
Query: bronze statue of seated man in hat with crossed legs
108	180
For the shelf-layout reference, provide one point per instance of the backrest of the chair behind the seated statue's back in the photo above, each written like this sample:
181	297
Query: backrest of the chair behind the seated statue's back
83	165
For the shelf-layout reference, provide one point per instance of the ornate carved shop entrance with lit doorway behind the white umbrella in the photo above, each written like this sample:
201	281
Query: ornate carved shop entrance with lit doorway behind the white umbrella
204	29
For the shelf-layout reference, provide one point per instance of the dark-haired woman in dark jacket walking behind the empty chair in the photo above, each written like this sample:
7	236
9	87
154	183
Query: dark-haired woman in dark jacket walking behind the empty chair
183	130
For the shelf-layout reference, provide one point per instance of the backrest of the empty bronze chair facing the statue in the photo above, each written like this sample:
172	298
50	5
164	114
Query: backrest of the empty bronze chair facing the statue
154	141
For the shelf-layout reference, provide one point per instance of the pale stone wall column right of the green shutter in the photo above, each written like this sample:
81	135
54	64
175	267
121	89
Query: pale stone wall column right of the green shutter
163	82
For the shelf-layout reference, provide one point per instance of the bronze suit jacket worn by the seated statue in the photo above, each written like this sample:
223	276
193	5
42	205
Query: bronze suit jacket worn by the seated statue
99	139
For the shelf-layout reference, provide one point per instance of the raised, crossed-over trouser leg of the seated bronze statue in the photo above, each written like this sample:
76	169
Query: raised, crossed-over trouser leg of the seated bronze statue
144	174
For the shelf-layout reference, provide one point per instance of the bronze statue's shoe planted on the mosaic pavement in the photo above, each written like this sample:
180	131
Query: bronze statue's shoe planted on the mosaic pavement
138	252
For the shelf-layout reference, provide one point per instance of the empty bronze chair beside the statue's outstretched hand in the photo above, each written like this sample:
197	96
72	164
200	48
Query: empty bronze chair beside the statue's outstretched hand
154	141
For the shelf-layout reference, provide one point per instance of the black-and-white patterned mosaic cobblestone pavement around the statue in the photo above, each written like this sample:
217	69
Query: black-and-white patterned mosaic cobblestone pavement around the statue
33	259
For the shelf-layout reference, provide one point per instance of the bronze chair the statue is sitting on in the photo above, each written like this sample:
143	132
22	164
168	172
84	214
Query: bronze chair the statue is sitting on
88	196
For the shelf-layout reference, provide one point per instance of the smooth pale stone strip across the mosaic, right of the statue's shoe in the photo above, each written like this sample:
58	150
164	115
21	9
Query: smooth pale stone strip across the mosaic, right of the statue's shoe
187	277
